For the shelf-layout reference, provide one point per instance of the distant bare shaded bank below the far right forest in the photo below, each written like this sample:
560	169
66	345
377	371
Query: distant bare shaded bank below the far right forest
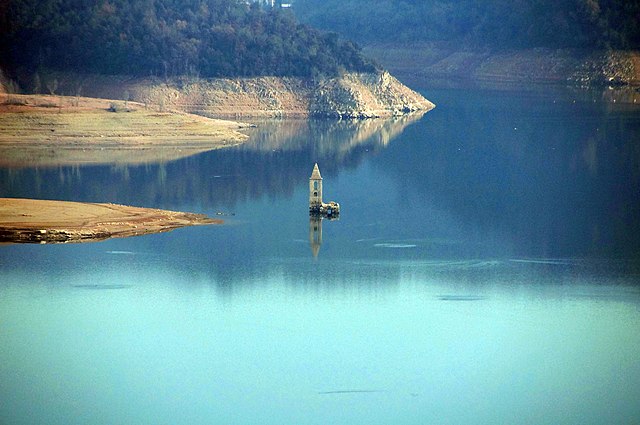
444	65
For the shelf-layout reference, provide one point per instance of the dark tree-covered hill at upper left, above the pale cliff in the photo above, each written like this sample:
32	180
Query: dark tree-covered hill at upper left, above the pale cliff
207	38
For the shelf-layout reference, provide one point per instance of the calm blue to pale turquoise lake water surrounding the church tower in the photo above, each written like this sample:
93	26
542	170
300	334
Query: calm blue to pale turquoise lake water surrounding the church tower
485	269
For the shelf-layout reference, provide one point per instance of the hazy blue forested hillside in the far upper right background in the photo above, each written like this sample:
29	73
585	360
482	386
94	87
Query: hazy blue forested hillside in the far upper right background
497	24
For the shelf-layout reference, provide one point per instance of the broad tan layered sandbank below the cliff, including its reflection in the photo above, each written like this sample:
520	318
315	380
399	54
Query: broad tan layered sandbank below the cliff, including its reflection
44	130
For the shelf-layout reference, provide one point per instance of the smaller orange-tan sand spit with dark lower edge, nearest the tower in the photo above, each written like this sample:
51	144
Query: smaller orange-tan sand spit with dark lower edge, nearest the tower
40	221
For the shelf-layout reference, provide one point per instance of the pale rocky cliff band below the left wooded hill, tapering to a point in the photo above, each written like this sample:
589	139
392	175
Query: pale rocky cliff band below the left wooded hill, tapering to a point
348	96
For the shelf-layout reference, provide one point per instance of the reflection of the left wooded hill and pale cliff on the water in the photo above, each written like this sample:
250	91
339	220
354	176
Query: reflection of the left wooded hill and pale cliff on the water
279	152
